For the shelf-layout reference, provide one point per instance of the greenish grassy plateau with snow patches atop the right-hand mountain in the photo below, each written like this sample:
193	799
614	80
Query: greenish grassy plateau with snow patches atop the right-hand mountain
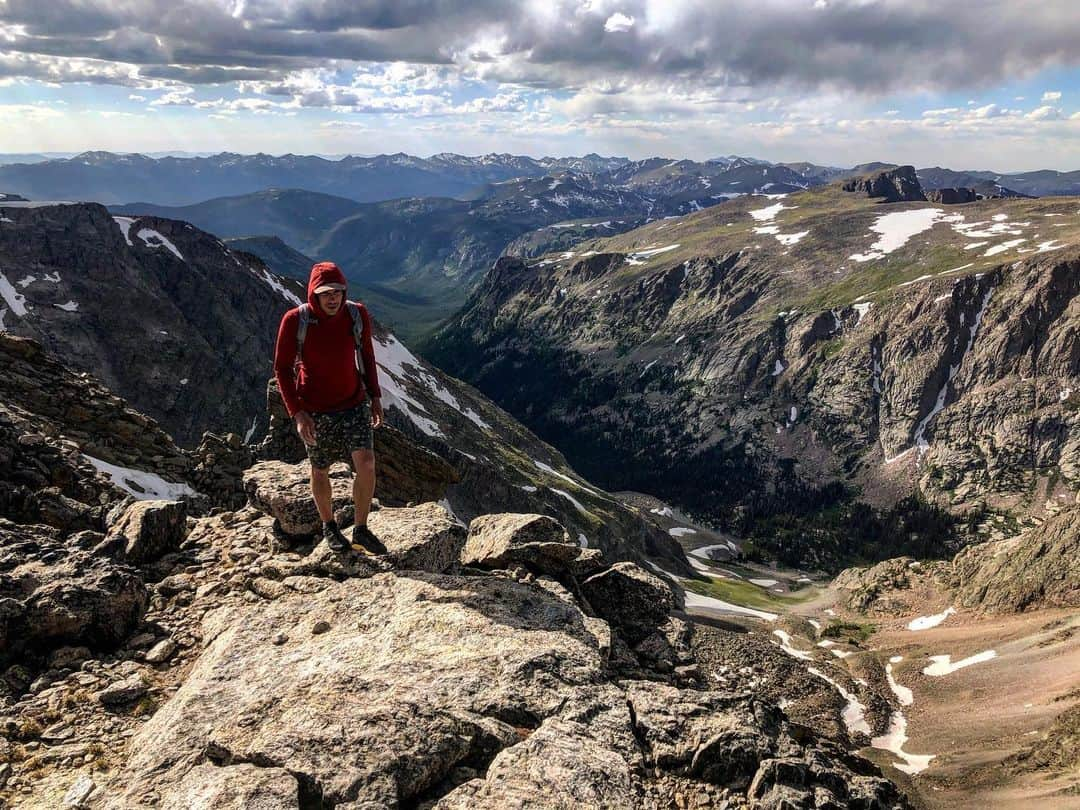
822	275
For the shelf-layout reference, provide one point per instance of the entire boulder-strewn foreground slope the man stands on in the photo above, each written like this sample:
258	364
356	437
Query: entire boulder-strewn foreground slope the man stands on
167	659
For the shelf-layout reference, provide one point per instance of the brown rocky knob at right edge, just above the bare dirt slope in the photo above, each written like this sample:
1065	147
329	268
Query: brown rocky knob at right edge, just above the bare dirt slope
1039	569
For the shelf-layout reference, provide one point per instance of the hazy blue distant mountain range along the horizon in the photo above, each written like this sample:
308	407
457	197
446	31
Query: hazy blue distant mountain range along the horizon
112	179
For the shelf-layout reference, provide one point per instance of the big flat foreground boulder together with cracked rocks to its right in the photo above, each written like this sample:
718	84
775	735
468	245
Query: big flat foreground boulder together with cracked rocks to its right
441	690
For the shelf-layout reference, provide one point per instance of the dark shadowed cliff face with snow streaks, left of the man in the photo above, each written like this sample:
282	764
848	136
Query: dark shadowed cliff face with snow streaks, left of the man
164	314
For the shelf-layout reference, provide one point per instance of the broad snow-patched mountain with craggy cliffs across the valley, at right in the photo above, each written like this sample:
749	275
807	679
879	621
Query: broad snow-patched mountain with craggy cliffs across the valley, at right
796	369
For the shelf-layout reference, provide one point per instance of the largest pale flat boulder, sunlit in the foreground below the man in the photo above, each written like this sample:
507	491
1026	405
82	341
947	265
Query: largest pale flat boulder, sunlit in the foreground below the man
416	676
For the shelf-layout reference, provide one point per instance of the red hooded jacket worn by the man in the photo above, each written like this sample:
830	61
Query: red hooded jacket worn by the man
328	379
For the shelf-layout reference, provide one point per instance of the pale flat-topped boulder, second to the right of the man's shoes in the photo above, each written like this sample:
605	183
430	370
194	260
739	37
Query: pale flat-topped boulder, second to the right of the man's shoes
538	543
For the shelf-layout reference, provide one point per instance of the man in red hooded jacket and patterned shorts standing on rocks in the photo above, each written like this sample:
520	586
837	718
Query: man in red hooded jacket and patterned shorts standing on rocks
334	402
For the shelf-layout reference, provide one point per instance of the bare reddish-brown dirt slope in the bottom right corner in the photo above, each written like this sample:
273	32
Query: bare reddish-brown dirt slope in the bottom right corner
974	719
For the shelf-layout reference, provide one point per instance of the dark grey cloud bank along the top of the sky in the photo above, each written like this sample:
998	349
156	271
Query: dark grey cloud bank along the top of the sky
868	46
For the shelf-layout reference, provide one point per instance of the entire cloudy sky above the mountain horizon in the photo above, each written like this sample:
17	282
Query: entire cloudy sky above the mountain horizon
988	85
